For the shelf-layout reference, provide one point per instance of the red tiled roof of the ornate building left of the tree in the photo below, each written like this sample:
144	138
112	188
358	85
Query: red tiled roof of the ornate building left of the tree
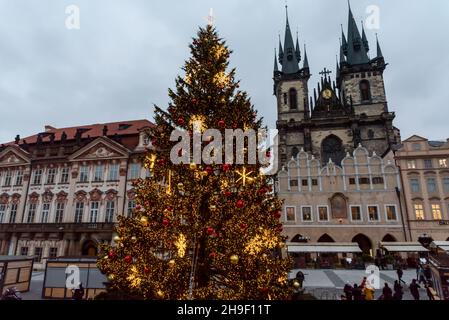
93	130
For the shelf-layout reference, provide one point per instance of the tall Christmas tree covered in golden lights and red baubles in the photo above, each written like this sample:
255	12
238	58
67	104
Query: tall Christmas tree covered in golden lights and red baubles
201	230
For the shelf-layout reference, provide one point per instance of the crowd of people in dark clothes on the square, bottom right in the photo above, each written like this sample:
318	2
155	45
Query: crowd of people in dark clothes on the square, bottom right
365	291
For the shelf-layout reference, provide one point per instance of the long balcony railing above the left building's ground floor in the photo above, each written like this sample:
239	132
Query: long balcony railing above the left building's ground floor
56	227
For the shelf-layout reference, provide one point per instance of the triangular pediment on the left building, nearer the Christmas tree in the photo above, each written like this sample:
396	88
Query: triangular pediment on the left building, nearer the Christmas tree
101	148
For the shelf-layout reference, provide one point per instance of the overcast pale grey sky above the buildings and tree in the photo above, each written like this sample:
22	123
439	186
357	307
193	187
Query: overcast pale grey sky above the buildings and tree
127	54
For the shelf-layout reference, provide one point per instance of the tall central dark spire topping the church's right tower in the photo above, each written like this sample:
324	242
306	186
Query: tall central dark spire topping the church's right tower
357	53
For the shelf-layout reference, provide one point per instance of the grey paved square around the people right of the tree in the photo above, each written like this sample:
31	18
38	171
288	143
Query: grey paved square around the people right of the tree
328	284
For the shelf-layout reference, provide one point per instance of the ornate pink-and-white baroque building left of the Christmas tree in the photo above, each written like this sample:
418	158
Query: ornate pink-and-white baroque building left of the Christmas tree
61	190
